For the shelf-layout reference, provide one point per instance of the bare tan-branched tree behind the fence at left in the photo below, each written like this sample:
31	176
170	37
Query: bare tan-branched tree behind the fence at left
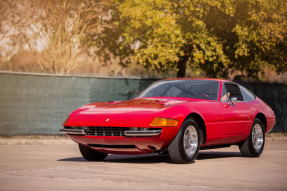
53	30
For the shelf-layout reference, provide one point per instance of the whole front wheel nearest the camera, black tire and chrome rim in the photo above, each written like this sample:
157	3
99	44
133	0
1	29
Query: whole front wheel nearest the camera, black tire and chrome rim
185	146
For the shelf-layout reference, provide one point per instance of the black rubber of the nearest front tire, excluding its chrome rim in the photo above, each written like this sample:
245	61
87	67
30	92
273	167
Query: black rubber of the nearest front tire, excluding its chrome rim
176	149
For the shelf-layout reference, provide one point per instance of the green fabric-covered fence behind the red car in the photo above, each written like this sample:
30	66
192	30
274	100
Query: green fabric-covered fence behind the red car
38	104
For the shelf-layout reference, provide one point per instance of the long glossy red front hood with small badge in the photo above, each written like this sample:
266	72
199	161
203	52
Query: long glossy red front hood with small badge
132	113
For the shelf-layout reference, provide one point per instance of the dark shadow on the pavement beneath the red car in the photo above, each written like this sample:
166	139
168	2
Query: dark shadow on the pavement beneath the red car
156	158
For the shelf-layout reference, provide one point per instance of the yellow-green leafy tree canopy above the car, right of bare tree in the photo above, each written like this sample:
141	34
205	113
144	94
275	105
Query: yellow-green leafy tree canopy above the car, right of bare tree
215	36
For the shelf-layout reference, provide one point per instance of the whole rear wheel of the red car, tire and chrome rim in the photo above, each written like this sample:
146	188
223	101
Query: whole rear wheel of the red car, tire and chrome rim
254	144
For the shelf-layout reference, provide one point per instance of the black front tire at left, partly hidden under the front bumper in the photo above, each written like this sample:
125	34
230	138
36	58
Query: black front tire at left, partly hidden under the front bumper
90	154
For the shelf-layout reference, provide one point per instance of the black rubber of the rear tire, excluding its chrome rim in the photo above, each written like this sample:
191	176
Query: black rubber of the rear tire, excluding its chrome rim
247	148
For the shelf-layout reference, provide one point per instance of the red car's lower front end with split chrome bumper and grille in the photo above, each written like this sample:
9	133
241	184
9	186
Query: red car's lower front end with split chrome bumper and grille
143	140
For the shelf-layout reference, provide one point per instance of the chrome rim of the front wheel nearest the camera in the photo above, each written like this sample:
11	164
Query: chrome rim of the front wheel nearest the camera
190	140
